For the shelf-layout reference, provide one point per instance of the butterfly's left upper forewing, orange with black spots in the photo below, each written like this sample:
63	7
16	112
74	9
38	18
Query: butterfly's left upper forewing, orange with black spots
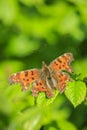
25	78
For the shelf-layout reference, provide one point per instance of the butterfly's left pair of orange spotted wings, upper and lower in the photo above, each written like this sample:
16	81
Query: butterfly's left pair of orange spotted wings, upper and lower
25	78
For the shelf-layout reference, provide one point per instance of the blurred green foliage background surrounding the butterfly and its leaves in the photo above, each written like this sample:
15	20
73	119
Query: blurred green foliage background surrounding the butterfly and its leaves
32	31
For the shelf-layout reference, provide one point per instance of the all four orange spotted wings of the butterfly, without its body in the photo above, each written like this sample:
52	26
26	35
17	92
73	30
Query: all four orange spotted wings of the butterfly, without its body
25	78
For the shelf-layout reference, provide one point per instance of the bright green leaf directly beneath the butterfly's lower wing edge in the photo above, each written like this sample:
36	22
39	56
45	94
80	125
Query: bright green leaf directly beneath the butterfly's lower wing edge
43	100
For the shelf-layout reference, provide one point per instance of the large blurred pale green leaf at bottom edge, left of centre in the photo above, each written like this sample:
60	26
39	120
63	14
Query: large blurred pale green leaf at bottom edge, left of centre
31	119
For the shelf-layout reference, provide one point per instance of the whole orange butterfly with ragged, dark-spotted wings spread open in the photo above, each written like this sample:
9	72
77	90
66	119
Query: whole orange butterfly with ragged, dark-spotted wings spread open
46	79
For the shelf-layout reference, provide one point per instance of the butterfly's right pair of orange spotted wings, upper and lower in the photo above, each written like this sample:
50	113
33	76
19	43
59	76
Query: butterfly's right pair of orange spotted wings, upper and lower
59	64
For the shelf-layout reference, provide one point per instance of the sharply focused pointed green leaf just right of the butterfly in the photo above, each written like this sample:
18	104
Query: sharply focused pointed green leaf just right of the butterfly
75	92
